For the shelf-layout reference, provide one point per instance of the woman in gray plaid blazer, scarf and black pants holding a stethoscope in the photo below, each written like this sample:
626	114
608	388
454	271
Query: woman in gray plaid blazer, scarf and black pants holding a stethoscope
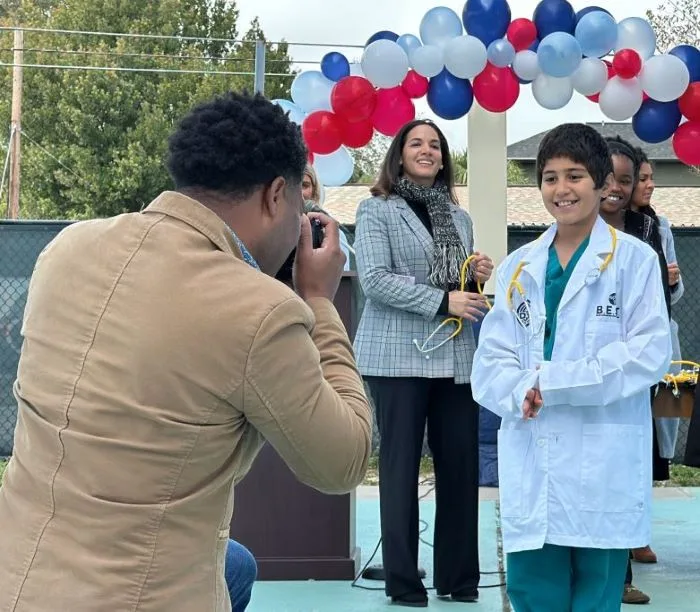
412	241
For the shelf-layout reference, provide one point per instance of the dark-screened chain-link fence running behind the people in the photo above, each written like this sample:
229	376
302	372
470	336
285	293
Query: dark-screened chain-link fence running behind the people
21	243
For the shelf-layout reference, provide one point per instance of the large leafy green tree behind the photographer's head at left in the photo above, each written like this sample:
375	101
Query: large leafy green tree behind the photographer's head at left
95	140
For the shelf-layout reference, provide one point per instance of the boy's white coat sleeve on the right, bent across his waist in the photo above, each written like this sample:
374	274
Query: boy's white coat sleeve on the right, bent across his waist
623	368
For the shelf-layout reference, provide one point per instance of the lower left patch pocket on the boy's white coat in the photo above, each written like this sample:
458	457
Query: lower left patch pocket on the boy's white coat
513	479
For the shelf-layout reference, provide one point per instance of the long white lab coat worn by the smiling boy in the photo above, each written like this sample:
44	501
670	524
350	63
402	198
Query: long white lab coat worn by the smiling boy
580	473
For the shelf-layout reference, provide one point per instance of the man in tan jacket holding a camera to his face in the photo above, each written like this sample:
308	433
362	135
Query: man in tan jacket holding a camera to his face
159	353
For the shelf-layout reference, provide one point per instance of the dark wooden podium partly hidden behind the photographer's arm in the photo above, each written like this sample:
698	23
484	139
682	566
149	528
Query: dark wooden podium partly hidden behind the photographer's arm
295	532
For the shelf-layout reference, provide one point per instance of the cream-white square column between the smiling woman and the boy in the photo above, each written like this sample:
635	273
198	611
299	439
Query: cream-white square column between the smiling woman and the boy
487	183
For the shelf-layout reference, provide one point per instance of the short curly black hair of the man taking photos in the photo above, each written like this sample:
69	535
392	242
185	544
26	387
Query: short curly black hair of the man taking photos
234	144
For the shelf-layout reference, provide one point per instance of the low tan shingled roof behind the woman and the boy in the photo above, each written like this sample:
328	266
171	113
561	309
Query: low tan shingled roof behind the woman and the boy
680	204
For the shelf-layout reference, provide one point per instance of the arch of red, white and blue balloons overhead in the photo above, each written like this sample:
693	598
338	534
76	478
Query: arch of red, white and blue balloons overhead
486	55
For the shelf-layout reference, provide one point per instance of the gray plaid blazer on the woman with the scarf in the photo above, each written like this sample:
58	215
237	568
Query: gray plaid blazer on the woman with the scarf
394	252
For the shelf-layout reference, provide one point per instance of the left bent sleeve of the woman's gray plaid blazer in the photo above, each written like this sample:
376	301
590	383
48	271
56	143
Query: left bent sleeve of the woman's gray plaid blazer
374	267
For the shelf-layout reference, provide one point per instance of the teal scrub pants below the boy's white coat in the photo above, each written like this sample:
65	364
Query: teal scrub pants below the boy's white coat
564	579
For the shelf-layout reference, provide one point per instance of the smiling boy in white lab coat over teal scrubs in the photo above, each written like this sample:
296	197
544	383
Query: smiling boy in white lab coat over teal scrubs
577	335
